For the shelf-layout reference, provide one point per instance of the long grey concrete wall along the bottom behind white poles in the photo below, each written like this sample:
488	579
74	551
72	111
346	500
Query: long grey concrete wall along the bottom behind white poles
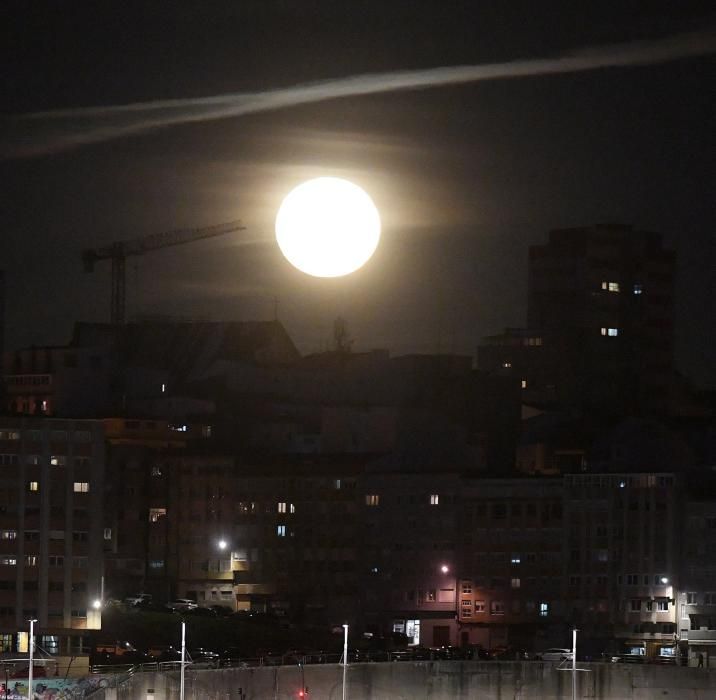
447	680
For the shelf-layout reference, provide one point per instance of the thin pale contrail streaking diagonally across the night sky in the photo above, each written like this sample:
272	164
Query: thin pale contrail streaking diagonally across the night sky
42	133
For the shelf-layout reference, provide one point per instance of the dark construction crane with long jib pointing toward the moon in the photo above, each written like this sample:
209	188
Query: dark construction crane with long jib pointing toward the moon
119	252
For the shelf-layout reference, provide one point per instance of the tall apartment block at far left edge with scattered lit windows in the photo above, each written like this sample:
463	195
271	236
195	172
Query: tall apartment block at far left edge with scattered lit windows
51	532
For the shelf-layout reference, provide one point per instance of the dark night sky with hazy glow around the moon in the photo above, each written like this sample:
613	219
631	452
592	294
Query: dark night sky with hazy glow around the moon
465	177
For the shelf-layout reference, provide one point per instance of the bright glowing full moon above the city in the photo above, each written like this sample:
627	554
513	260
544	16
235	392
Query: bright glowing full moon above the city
327	227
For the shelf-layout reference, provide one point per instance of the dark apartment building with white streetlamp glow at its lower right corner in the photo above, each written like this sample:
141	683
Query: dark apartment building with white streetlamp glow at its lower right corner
621	559
